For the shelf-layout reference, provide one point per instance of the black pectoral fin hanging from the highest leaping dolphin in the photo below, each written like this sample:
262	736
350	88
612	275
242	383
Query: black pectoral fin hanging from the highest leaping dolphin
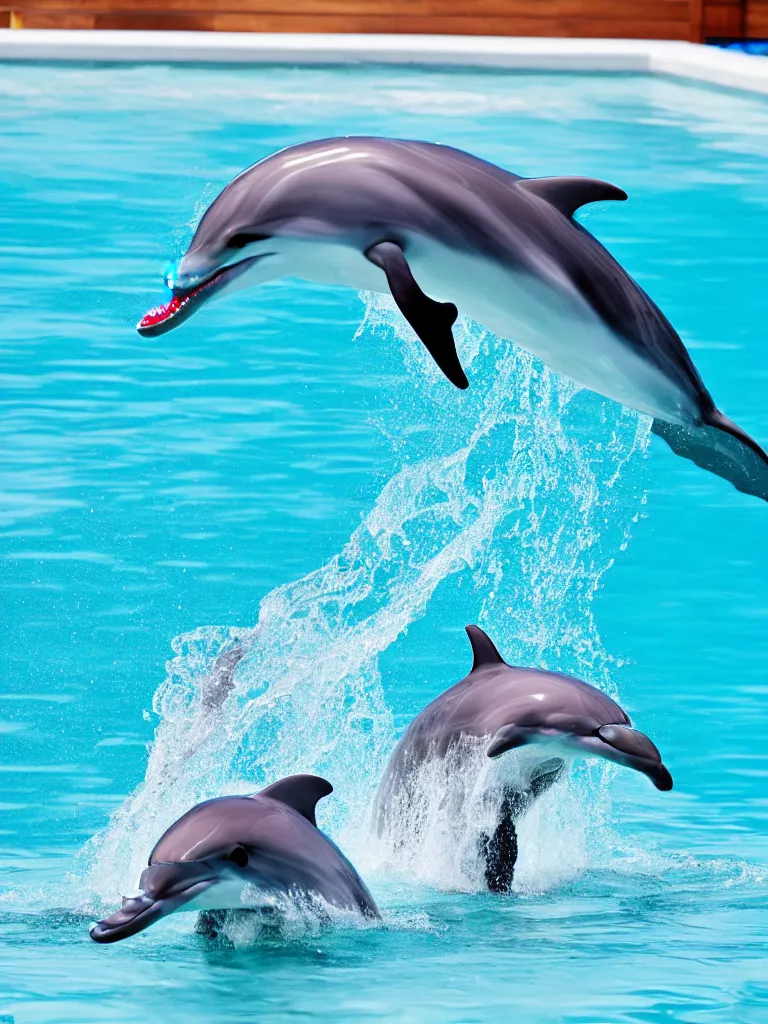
432	321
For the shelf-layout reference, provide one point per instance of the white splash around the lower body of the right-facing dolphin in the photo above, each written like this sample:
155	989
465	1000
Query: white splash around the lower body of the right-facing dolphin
434	825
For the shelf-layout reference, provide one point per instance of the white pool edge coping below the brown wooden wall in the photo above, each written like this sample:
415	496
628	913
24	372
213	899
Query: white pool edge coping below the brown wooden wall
692	61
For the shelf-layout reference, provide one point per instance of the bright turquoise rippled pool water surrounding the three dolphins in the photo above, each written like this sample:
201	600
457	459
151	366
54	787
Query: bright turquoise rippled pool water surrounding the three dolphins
291	461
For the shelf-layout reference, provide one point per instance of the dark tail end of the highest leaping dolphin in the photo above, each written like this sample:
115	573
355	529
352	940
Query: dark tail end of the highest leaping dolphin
722	448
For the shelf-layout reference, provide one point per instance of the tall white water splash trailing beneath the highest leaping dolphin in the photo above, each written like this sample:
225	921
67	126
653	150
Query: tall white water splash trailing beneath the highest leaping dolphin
525	487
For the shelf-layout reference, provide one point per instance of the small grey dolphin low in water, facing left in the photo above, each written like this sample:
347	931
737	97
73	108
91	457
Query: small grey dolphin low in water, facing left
270	842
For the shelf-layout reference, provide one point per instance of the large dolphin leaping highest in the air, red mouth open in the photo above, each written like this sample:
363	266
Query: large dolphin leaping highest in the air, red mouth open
419	221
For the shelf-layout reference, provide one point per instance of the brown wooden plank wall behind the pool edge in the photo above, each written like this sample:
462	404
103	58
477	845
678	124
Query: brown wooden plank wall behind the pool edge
695	20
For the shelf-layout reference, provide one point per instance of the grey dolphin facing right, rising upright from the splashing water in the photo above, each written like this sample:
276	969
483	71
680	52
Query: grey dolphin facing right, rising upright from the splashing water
502	708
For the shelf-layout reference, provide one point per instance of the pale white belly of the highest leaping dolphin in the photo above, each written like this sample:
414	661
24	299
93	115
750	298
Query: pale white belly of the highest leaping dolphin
552	323
